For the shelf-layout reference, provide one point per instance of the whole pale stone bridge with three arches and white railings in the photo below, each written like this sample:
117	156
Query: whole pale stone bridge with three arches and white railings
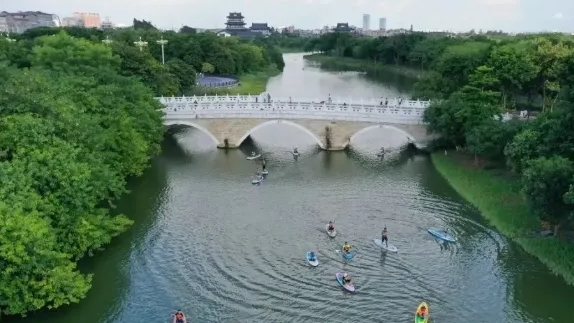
228	121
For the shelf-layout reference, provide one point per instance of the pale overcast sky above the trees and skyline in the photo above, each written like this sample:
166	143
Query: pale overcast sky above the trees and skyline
454	15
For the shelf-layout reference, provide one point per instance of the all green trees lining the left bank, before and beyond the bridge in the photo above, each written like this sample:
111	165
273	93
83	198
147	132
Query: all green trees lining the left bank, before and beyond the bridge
78	117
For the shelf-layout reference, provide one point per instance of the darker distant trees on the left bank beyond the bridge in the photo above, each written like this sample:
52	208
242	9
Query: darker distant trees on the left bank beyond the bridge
186	54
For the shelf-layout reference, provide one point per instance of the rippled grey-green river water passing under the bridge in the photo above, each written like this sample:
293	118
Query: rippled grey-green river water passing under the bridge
208	242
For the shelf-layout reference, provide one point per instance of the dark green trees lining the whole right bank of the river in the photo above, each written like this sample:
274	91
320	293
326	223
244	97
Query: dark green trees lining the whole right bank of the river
473	81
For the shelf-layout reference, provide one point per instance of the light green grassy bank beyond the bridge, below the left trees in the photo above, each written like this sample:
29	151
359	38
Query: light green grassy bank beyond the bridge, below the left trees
254	84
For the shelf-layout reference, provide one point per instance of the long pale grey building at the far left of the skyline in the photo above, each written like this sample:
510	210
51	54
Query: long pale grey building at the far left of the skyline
19	22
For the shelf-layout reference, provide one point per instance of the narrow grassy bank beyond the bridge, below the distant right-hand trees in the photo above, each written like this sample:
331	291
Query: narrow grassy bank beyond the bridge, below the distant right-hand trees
333	62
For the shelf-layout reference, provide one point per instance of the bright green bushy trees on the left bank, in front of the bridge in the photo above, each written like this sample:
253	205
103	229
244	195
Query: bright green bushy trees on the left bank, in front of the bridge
72	128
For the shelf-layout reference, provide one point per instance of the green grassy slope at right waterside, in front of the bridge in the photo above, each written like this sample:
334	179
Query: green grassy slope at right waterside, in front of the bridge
497	195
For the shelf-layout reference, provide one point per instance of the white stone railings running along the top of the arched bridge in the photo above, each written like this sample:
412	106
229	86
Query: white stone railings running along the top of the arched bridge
410	112
